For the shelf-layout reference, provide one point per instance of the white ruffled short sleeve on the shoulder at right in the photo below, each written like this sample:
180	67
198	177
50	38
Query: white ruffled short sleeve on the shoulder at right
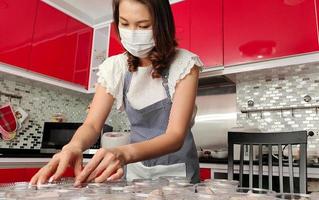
181	67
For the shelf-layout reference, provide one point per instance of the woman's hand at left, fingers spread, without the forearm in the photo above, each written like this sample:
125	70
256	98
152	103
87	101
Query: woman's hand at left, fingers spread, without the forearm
71	155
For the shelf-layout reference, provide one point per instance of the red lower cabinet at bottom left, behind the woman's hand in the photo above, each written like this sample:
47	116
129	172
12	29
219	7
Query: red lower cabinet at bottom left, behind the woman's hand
24	174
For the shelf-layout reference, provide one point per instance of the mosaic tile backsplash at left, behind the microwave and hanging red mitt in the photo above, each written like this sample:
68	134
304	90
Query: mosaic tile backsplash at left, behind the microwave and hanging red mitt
41	102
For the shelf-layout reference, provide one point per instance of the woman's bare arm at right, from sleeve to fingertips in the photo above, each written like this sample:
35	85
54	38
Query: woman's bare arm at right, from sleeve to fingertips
108	162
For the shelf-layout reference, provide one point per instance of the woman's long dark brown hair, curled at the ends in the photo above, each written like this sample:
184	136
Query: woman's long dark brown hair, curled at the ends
164	35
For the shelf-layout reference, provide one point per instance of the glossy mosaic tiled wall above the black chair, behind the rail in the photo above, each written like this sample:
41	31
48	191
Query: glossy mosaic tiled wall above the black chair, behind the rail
280	88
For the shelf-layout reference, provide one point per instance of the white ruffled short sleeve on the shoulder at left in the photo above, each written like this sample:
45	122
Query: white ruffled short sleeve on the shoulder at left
111	76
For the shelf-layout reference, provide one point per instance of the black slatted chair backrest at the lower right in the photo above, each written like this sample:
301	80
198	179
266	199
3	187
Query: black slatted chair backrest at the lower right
269	139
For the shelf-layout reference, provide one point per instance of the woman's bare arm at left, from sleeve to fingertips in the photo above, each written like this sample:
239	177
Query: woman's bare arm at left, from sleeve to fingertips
85	136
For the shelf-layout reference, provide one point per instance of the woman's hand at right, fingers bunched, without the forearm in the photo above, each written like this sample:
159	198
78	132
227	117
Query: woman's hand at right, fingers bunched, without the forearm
105	165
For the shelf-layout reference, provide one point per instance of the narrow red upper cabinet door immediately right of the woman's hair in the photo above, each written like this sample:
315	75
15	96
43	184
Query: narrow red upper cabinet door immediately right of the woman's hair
181	13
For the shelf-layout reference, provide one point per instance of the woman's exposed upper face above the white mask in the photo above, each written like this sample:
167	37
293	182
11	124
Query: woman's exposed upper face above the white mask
134	15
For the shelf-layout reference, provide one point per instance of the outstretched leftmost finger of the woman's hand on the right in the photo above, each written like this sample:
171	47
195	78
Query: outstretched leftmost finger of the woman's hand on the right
90	167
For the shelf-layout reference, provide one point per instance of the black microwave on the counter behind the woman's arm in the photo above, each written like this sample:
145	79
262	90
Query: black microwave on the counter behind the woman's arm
56	135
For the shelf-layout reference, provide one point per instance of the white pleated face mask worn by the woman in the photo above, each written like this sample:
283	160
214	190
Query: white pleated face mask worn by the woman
138	42
